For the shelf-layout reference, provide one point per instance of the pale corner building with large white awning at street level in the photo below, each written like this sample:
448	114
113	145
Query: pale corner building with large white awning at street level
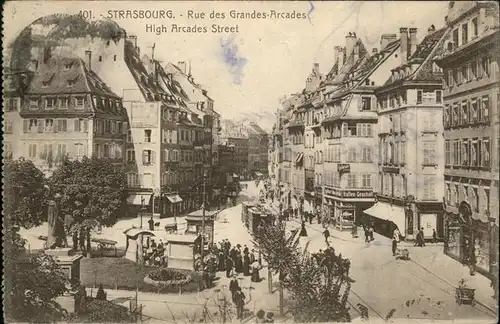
410	170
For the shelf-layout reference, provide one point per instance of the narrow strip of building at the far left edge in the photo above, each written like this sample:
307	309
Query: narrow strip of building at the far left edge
15	86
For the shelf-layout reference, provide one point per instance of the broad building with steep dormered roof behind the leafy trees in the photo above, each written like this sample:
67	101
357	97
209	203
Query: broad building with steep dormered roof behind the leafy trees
69	112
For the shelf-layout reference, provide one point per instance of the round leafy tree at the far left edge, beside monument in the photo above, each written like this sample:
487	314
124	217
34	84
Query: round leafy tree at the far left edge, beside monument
25	194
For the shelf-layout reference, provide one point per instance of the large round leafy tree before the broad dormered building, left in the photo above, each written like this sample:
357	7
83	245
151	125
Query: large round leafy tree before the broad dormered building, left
93	193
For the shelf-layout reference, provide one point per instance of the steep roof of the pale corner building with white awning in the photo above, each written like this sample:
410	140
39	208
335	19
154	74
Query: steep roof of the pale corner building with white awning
421	60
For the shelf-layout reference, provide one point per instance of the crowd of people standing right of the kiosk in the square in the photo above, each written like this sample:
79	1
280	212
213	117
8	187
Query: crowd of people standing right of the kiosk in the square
237	260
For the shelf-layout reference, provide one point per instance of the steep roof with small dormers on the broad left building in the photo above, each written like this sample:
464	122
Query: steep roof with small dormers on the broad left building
65	75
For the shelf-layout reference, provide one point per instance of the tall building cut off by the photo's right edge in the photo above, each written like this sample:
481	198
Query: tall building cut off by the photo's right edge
471	133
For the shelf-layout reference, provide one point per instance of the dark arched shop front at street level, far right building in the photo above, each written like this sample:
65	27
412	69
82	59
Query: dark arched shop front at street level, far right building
468	237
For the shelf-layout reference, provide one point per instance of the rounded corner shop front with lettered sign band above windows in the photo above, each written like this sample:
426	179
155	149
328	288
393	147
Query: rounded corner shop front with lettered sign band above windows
345	207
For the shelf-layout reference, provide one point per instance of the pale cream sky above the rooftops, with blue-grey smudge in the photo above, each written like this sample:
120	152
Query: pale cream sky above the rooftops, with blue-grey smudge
247	72
